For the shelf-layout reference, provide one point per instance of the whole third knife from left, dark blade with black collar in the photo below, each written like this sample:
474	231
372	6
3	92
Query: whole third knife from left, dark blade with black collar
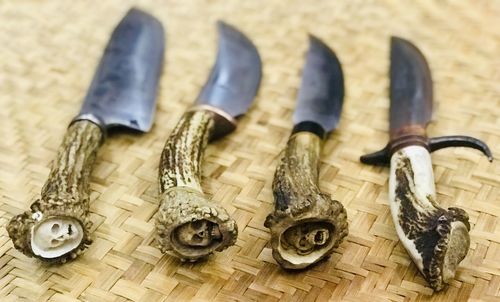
307	224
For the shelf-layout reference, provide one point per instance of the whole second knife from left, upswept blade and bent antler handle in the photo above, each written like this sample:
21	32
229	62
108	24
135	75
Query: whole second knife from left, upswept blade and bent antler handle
190	226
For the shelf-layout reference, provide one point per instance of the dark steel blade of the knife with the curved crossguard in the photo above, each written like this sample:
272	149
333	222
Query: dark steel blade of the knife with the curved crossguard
411	86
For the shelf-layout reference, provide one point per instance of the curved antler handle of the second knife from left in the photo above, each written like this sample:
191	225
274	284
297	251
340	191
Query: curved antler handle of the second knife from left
189	225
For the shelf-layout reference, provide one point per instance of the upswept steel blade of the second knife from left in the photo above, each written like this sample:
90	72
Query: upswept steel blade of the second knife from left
235	77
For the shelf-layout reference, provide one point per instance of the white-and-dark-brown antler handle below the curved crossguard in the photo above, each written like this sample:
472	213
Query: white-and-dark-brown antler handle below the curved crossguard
436	239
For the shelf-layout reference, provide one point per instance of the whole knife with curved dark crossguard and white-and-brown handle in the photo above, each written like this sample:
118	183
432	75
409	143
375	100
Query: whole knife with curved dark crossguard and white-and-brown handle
436	239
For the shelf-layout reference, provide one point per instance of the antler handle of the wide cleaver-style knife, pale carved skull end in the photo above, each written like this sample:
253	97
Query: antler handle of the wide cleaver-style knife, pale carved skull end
57	228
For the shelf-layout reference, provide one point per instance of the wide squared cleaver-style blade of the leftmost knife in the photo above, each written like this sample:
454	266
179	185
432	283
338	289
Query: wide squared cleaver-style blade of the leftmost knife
123	90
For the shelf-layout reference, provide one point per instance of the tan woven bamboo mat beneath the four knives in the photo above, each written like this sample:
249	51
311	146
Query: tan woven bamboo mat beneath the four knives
48	52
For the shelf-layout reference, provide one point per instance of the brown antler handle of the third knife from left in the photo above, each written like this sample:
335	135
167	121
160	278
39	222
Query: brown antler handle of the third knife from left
306	225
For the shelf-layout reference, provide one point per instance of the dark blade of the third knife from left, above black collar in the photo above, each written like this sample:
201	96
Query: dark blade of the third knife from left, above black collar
321	93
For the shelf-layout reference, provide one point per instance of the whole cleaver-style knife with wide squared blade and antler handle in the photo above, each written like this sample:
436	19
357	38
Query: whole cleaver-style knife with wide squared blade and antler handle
122	94
